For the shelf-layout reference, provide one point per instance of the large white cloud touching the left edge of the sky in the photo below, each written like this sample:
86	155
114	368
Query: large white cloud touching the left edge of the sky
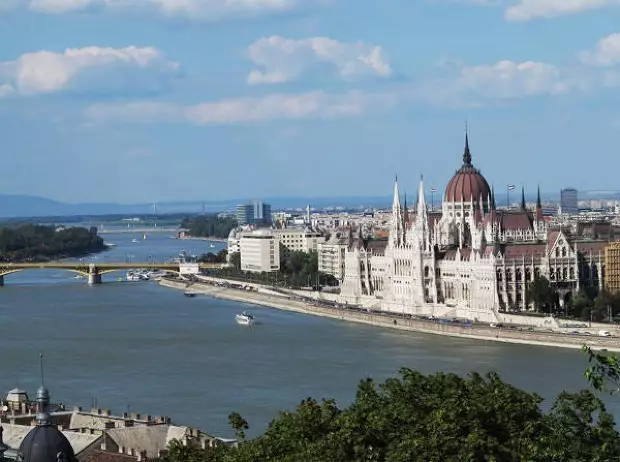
80	68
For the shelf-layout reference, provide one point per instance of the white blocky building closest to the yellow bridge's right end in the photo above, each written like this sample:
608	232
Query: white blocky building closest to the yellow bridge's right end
260	251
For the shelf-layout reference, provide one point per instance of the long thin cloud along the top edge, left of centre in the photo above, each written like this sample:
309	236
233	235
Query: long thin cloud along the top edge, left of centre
189	9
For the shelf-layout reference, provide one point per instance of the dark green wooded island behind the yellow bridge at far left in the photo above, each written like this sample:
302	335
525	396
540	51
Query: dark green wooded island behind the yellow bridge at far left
30	242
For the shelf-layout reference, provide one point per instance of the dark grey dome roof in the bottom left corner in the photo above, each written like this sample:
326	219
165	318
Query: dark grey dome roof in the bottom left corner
45	443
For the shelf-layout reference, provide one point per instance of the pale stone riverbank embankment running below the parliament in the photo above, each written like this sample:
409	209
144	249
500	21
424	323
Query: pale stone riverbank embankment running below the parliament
270	299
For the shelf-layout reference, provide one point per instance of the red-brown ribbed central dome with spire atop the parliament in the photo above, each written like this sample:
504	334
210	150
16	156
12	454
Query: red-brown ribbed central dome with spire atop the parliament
467	183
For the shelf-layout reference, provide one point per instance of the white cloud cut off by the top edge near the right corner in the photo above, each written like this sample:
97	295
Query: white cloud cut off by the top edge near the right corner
527	10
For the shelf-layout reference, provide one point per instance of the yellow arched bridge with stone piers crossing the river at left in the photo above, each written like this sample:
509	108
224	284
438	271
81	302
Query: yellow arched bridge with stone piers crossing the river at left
94	271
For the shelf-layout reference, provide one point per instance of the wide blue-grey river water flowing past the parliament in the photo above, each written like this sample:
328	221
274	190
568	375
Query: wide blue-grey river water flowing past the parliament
138	347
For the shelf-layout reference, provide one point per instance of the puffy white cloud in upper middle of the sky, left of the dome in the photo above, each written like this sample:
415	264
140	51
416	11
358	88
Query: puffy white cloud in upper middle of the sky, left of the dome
283	59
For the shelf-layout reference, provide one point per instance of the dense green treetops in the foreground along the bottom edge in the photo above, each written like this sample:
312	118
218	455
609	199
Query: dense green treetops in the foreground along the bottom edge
441	417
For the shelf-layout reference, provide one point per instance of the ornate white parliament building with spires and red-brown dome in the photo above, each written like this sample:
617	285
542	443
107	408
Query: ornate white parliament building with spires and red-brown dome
469	259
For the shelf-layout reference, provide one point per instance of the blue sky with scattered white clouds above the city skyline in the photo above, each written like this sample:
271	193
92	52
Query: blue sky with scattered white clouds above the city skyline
140	100
